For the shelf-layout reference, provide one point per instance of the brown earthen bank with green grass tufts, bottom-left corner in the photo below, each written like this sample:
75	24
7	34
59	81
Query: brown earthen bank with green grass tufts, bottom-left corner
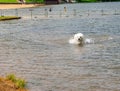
12	83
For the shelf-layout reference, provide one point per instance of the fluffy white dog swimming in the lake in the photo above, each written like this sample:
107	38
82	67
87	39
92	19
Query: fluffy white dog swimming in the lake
77	39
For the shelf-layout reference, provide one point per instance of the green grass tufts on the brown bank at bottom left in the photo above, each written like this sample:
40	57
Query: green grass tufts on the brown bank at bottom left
20	83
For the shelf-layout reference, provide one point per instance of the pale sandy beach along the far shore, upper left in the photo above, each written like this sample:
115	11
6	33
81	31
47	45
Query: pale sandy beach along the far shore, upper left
17	6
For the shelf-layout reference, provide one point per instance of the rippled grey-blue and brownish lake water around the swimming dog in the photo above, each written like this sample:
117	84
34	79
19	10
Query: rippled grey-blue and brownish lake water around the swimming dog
36	47
